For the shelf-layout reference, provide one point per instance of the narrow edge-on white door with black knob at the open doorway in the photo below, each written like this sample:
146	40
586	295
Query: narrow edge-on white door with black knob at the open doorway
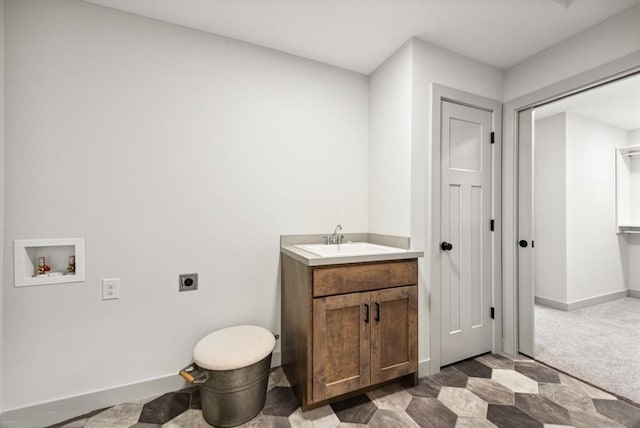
525	235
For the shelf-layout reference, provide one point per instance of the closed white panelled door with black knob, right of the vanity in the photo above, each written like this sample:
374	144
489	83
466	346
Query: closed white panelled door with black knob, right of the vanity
465	262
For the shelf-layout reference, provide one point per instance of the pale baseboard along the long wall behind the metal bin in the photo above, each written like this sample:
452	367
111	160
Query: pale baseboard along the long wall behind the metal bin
53	412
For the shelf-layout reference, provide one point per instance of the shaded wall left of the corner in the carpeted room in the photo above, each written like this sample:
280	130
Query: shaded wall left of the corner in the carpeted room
550	214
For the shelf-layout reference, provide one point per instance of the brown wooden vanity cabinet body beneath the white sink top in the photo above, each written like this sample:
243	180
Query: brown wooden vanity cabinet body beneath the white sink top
347	327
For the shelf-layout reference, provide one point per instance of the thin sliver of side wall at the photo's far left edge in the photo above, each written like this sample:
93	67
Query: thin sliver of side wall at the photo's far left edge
2	160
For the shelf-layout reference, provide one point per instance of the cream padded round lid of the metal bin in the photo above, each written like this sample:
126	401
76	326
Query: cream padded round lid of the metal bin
233	347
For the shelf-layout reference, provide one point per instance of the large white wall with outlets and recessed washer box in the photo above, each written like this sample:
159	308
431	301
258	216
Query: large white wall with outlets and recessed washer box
170	150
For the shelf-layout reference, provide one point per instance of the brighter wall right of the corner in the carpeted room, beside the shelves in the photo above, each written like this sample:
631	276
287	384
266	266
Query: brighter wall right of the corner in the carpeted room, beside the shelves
596	255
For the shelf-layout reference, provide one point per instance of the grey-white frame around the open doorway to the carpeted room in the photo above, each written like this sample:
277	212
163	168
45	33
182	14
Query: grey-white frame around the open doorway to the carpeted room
609	72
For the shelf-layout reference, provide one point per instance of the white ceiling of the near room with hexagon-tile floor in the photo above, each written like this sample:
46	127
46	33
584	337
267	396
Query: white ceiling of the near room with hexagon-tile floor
359	35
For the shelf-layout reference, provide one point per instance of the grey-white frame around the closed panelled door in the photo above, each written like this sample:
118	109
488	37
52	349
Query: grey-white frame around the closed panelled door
443	93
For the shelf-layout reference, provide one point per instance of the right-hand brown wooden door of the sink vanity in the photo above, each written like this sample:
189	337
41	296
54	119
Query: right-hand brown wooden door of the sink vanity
394	333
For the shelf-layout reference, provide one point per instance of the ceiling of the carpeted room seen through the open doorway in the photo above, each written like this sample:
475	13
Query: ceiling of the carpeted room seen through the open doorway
617	104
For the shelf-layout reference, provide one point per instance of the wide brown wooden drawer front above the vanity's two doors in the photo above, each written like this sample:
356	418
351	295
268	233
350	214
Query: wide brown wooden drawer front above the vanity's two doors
348	279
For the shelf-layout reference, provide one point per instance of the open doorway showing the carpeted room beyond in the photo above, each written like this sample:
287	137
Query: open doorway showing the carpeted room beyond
584	259
